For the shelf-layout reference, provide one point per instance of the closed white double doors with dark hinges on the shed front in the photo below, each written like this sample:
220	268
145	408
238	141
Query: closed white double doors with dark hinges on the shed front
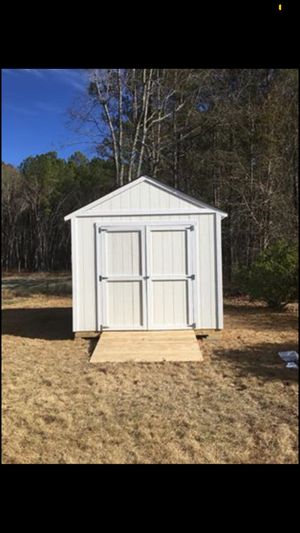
146	277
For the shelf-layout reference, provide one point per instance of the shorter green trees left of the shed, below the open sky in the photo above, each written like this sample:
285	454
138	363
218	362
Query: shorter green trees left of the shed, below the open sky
35	199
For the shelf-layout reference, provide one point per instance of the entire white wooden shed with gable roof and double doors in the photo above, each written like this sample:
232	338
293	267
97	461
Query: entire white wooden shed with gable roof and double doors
146	256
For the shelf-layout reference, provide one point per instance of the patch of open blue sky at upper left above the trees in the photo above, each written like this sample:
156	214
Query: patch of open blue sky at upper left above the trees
34	106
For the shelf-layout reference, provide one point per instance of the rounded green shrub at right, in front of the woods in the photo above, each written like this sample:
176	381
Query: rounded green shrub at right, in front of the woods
273	276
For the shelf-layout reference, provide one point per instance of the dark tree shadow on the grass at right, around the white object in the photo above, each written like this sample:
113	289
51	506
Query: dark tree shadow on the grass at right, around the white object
261	360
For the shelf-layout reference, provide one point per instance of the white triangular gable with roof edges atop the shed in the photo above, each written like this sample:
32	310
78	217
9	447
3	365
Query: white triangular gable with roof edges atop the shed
140	195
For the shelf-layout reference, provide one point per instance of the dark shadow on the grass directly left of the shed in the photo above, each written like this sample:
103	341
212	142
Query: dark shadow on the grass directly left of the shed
44	323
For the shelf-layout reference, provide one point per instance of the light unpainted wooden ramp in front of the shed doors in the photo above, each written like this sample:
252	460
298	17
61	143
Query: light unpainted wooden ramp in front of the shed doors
147	346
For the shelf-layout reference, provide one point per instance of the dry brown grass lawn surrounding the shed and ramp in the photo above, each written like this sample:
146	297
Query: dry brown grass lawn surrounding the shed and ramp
238	406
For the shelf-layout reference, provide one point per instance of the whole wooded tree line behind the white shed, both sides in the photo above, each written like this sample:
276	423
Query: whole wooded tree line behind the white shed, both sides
226	136
